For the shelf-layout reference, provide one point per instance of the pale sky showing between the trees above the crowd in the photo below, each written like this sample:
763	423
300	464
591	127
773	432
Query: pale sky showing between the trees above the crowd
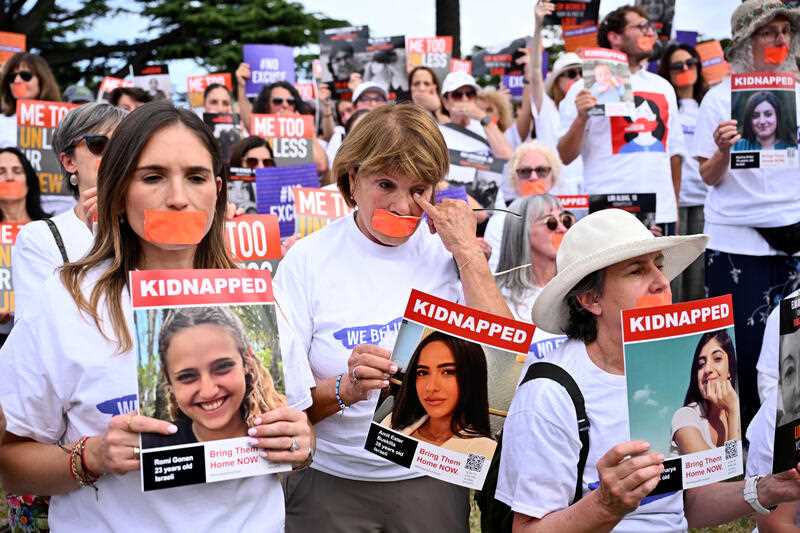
483	23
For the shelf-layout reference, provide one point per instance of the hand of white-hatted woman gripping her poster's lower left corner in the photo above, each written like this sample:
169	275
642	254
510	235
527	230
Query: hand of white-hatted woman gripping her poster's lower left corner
627	474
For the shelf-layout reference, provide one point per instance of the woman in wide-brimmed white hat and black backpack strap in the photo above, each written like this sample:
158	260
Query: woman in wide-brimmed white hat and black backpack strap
608	262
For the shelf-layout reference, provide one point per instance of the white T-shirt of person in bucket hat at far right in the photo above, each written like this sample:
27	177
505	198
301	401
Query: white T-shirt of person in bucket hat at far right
744	198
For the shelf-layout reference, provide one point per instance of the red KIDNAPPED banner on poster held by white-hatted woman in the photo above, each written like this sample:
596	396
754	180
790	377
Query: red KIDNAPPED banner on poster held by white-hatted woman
674	320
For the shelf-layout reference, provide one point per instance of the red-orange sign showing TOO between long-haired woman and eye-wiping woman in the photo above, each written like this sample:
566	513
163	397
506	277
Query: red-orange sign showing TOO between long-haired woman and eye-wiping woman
253	237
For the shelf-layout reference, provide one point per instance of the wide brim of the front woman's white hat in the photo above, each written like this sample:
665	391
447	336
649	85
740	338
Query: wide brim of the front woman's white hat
550	312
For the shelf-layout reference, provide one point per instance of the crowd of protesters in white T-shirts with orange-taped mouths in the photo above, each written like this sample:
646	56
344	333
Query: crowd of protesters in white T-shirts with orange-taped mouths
502	241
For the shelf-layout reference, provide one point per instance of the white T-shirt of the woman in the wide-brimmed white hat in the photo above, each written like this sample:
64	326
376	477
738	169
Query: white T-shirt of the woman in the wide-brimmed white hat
541	445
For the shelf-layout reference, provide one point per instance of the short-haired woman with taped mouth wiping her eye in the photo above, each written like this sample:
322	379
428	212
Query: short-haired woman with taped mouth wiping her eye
387	167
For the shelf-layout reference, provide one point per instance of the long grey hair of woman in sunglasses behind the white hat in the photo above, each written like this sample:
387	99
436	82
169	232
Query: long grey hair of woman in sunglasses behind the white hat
515	248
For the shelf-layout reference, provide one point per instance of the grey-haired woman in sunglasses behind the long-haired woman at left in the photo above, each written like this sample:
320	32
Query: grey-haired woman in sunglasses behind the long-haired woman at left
42	247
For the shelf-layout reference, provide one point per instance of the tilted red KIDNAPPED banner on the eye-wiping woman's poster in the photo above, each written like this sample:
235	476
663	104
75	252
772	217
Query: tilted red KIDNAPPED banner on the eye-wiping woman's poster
471	324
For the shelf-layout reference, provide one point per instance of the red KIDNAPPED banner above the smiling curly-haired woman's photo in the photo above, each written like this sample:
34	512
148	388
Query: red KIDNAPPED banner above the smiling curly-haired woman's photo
185	288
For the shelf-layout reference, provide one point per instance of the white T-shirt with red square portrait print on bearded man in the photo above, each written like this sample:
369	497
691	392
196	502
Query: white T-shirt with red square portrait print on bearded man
641	164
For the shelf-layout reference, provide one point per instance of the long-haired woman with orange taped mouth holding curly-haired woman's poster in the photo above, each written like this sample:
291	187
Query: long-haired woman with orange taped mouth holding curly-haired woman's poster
160	159
